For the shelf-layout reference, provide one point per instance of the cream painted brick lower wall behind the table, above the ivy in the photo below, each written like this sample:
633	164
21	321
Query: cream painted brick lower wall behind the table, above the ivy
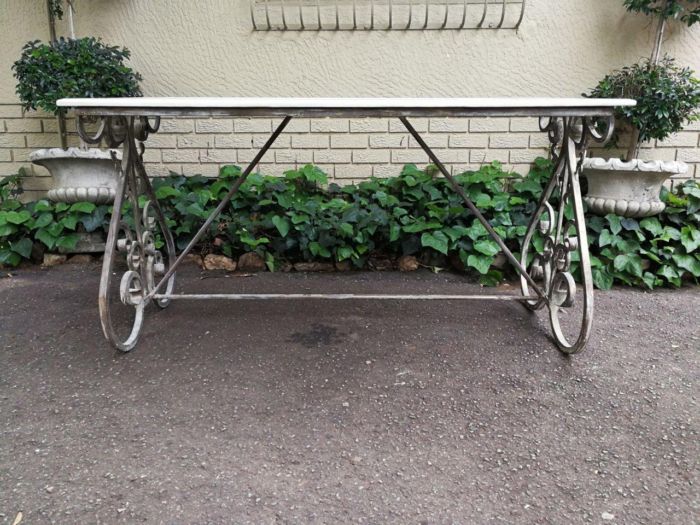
348	149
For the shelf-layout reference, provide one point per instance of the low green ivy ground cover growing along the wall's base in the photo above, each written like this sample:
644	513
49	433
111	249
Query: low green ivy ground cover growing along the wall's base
298	218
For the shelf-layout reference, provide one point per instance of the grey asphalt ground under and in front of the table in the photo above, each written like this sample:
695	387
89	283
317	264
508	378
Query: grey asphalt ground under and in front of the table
345	412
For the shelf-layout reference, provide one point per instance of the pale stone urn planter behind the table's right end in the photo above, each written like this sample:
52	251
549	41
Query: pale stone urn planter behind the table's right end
628	189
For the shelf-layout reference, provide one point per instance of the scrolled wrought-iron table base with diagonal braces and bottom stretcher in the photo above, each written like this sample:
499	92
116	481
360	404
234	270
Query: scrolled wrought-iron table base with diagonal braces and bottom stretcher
546	277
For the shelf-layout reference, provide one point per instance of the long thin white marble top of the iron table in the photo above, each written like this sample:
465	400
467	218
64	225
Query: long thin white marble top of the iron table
276	106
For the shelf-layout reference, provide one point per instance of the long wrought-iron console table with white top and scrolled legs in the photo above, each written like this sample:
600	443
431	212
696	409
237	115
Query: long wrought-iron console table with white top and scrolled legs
546	281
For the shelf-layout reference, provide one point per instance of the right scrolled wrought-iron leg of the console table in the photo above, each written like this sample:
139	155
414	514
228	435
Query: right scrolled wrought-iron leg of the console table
560	220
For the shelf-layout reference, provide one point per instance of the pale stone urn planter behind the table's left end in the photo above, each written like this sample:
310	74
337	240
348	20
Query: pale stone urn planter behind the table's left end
79	174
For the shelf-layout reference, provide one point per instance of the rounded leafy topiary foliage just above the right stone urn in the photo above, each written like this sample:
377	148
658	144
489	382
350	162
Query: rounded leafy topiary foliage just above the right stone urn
668	97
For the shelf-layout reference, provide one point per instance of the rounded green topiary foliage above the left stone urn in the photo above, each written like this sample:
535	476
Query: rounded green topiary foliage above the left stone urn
83	67
